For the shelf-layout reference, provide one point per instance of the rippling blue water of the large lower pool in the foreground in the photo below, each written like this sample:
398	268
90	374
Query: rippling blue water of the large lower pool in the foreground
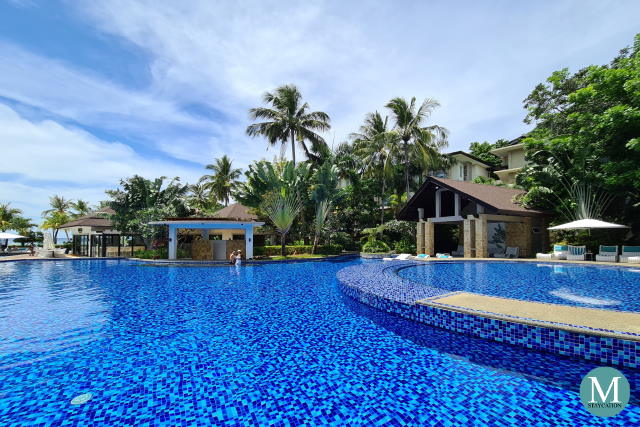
257	344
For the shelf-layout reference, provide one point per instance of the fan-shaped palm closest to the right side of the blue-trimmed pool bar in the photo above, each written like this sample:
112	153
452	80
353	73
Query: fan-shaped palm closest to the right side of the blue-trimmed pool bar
282	207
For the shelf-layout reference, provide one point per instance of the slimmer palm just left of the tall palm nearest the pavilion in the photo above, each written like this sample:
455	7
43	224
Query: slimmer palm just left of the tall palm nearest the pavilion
376	146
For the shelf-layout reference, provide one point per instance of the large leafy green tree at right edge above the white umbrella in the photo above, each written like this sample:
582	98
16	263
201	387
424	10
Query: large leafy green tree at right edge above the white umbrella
587	139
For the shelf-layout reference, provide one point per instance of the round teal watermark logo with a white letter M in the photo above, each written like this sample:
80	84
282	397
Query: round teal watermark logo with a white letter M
604	391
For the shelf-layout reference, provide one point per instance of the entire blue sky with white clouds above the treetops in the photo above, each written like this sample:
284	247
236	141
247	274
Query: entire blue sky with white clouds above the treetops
91	92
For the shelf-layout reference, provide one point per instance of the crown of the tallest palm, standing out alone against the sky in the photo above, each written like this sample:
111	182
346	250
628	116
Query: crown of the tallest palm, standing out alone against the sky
290	119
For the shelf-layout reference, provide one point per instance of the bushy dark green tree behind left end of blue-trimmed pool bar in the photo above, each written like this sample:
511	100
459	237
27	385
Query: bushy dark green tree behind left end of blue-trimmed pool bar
140	201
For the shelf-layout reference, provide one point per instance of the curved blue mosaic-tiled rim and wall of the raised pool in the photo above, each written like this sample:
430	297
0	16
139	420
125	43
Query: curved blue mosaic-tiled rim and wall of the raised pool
378	286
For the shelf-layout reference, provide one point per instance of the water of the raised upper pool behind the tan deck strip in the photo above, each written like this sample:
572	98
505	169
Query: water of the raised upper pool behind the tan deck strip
613	288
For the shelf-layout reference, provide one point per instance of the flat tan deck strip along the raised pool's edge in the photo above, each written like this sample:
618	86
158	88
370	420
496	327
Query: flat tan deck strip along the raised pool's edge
602	322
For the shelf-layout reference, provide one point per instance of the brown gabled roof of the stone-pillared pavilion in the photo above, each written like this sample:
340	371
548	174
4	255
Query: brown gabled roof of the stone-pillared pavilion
501	199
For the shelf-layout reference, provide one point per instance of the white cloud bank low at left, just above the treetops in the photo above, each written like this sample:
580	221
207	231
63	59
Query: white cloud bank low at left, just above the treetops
48	158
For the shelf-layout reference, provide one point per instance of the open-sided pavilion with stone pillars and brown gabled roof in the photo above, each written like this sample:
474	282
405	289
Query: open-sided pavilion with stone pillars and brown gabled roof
484	219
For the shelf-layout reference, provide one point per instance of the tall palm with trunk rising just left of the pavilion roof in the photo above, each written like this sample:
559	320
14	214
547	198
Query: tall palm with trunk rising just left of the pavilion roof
426	140
